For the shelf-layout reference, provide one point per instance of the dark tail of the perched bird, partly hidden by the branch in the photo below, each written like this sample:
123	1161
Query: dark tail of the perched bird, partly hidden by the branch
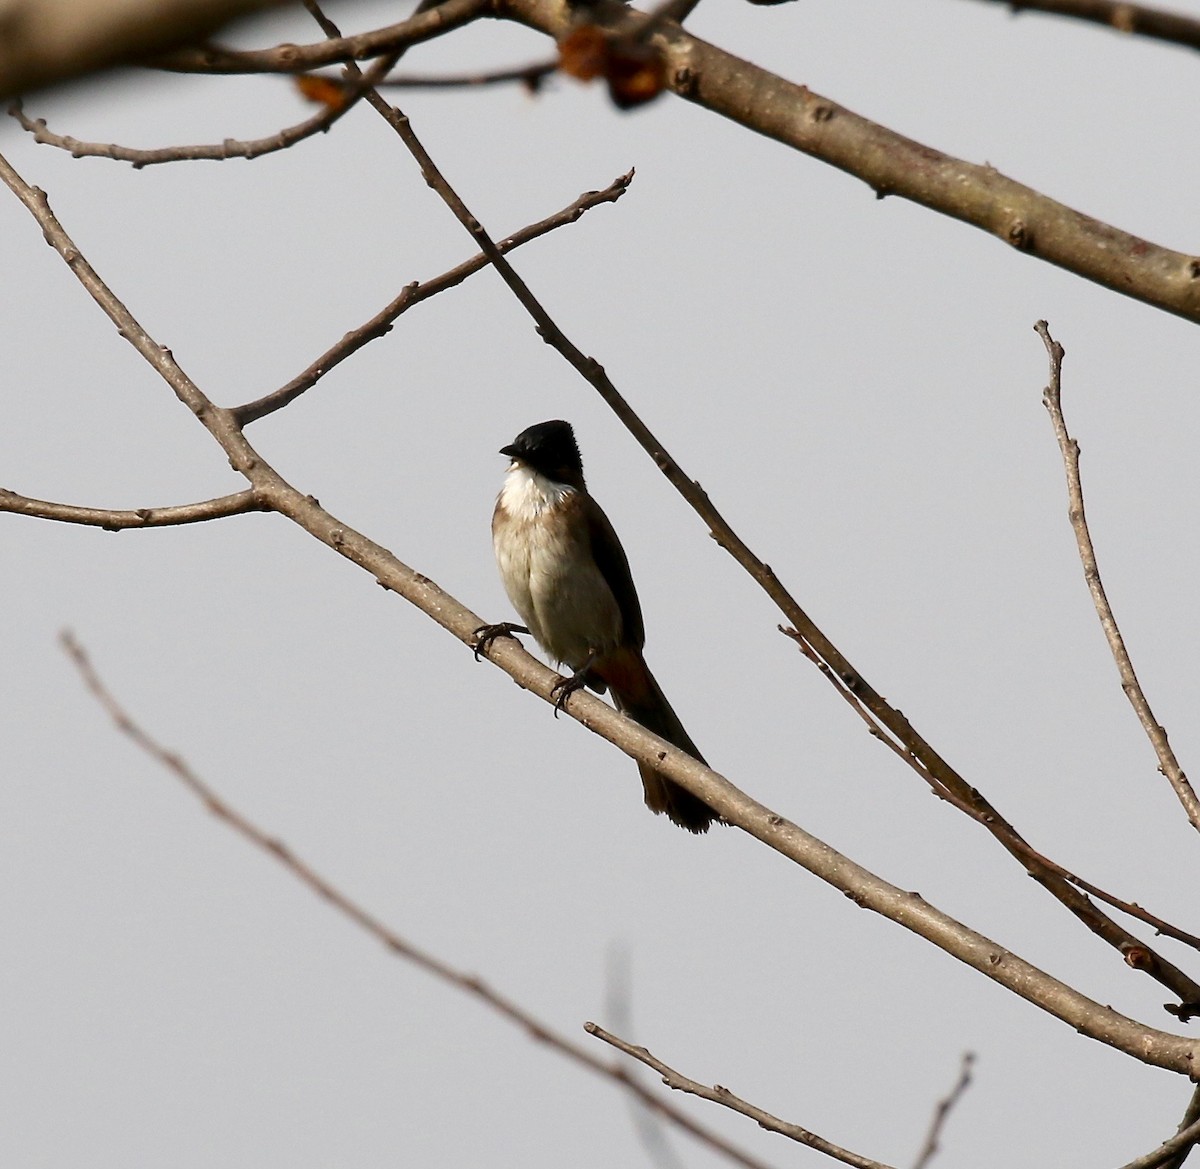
639	696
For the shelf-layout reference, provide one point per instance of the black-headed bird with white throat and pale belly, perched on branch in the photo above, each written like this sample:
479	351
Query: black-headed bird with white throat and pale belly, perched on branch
568	578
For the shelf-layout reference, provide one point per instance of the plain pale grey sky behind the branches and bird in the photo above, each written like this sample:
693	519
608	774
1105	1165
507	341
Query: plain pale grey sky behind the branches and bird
855	382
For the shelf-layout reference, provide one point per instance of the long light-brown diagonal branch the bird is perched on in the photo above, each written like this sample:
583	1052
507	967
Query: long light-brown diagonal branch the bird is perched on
1148	1045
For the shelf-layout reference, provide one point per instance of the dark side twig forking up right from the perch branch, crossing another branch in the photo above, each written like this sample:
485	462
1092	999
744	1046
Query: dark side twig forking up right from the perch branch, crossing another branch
413	295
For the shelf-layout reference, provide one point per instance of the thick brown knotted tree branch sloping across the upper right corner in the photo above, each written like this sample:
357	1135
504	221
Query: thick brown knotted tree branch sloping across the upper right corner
893	165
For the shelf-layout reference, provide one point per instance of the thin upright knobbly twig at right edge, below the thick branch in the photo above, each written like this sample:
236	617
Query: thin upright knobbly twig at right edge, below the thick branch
1155	732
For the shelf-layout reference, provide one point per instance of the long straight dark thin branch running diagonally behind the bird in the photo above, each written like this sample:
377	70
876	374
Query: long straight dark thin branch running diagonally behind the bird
1078	903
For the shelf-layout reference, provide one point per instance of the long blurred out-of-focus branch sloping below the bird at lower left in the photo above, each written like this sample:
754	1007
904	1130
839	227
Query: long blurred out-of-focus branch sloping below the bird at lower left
398	945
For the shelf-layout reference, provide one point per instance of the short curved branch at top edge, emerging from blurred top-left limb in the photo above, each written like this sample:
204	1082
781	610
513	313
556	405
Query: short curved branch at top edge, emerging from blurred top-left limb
425	25
